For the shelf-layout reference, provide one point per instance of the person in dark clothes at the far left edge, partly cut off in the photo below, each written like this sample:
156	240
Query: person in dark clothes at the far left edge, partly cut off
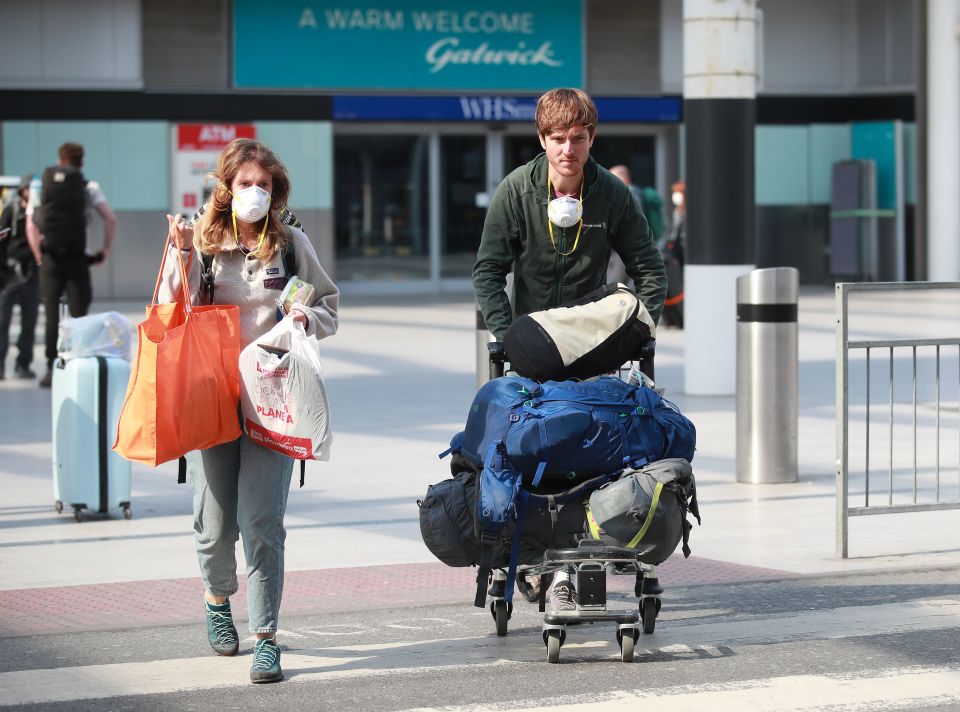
21	282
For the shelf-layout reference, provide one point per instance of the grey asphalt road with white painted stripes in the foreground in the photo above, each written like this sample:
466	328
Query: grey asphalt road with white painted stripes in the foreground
857	642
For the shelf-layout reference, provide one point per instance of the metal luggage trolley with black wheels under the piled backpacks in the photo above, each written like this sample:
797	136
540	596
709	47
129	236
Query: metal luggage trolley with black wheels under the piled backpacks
588	564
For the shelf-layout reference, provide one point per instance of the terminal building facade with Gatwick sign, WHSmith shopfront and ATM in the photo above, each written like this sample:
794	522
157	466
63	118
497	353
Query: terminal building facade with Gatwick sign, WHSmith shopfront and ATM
398	119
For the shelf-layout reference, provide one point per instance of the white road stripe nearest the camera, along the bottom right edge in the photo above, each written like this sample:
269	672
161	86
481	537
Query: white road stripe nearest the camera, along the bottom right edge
890	689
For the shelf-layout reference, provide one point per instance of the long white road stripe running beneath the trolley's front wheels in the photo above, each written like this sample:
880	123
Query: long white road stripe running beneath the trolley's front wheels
425	656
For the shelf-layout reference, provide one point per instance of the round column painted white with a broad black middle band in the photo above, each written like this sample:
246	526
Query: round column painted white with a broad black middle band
719	98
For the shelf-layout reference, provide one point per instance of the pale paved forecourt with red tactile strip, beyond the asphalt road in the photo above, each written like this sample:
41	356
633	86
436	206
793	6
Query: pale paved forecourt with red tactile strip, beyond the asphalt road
400	376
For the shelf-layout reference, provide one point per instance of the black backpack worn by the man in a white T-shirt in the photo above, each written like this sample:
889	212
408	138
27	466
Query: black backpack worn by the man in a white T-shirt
62	216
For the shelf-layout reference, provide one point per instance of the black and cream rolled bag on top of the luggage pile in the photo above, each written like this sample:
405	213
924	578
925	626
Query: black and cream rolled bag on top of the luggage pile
593	335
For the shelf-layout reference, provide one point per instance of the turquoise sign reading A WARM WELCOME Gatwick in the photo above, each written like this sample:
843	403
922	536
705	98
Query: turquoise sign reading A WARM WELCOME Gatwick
494	45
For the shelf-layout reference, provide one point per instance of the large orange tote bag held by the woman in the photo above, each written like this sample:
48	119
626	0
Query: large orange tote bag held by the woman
185	384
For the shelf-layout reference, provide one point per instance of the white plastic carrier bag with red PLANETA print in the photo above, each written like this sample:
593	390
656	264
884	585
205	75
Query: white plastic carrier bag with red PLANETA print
282	396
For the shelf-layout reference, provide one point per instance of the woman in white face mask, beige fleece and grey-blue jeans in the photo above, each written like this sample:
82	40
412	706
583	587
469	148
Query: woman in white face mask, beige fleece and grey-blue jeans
240	488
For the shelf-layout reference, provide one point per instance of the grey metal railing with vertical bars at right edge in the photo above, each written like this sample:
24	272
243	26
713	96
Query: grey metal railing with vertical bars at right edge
887	346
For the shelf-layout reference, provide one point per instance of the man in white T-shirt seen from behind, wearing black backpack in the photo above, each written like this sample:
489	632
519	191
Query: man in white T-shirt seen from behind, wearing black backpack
57	232
